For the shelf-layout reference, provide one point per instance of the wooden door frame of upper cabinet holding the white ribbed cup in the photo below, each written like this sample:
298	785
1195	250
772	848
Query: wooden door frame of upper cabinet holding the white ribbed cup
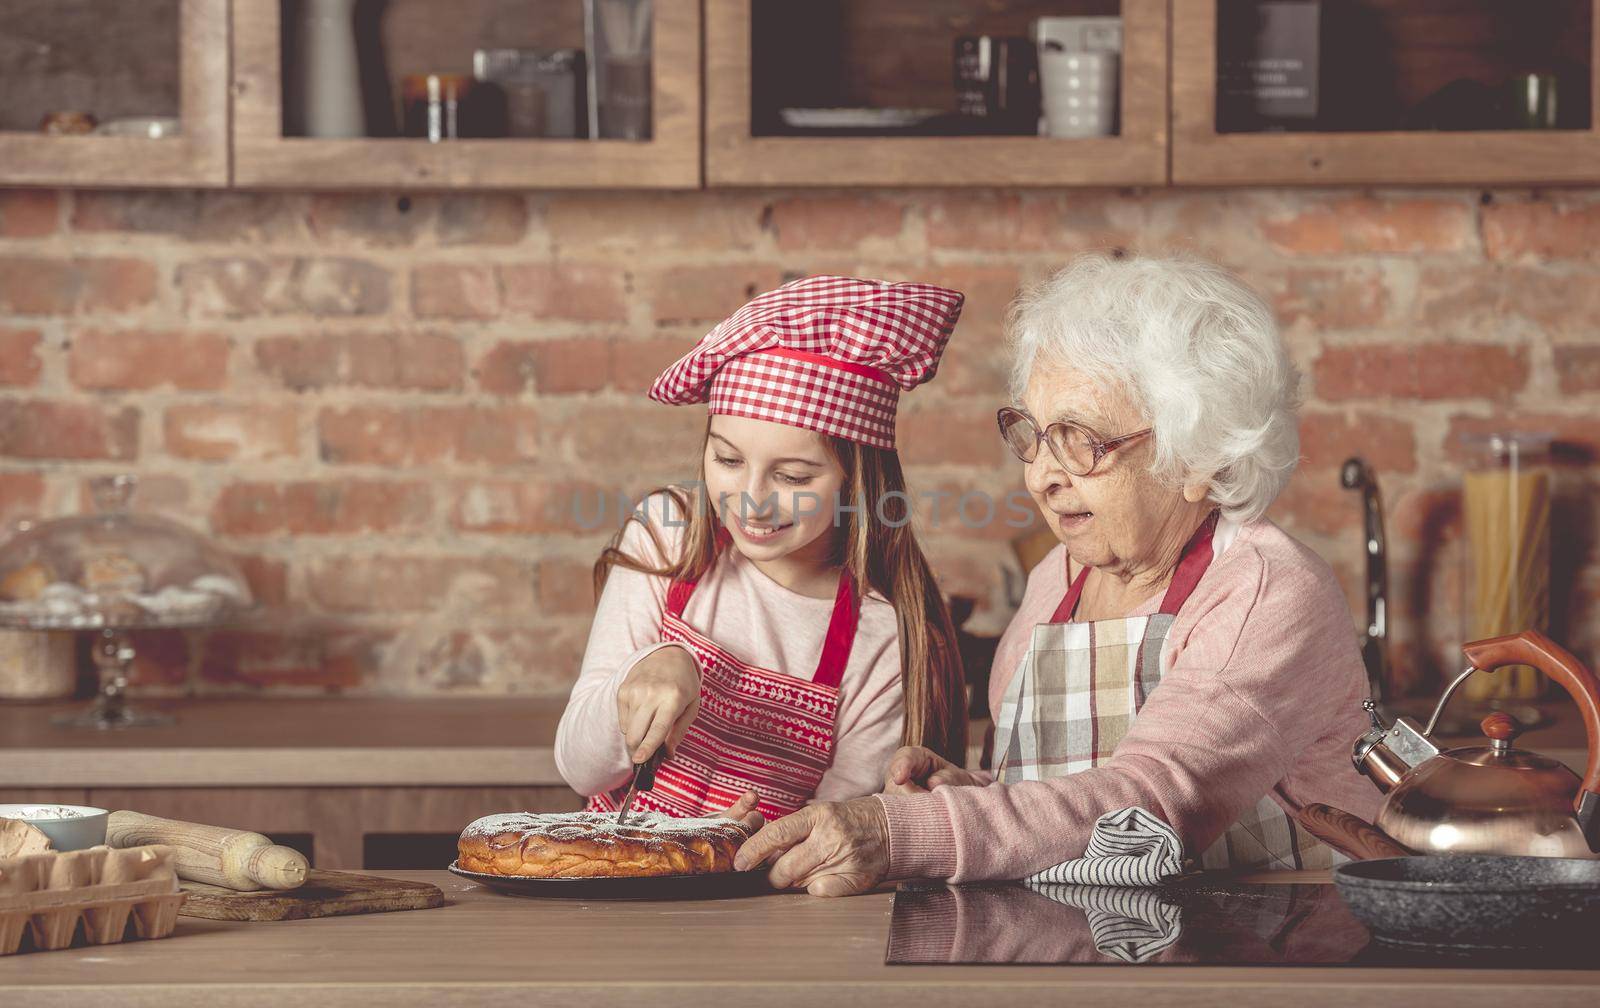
735	158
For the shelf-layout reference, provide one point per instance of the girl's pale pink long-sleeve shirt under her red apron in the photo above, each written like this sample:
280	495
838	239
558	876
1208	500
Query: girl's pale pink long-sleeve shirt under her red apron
756	620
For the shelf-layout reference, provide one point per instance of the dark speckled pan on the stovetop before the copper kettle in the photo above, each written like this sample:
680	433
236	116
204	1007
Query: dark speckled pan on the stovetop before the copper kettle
1474	902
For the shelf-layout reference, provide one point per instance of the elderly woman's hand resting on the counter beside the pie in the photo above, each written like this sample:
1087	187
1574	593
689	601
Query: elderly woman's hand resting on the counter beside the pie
831	849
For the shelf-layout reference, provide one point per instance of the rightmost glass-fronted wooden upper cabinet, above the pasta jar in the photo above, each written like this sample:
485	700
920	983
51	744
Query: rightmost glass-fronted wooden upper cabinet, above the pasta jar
1438	39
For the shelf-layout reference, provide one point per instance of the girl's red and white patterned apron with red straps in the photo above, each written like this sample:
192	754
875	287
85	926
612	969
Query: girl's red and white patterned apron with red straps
756	730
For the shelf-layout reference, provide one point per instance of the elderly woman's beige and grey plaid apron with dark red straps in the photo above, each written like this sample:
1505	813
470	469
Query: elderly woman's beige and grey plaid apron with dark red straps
1079	689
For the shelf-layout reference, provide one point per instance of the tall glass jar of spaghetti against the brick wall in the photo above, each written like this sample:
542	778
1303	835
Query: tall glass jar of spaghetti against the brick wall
1506	521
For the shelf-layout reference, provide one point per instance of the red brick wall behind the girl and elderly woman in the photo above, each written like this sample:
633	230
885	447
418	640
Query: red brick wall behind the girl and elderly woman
383	406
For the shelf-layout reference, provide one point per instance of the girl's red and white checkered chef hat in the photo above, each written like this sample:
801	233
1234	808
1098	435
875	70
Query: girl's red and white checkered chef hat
826	354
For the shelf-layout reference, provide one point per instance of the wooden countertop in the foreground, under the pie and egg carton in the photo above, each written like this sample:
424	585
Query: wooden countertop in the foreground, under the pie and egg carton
783	950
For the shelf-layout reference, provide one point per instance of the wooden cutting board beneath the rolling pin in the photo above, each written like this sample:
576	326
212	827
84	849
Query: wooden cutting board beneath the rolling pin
324	895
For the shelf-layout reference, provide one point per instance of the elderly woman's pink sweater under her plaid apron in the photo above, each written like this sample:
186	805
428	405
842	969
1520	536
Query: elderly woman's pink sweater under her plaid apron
1262	692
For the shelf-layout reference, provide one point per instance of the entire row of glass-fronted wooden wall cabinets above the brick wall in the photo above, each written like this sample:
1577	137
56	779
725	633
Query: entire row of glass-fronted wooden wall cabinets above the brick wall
226	82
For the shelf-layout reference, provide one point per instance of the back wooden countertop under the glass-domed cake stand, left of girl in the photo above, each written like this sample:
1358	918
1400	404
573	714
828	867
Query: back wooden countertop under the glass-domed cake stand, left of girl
292	743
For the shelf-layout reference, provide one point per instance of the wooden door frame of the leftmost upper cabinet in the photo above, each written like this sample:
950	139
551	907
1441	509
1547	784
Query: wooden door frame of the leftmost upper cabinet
193	161
